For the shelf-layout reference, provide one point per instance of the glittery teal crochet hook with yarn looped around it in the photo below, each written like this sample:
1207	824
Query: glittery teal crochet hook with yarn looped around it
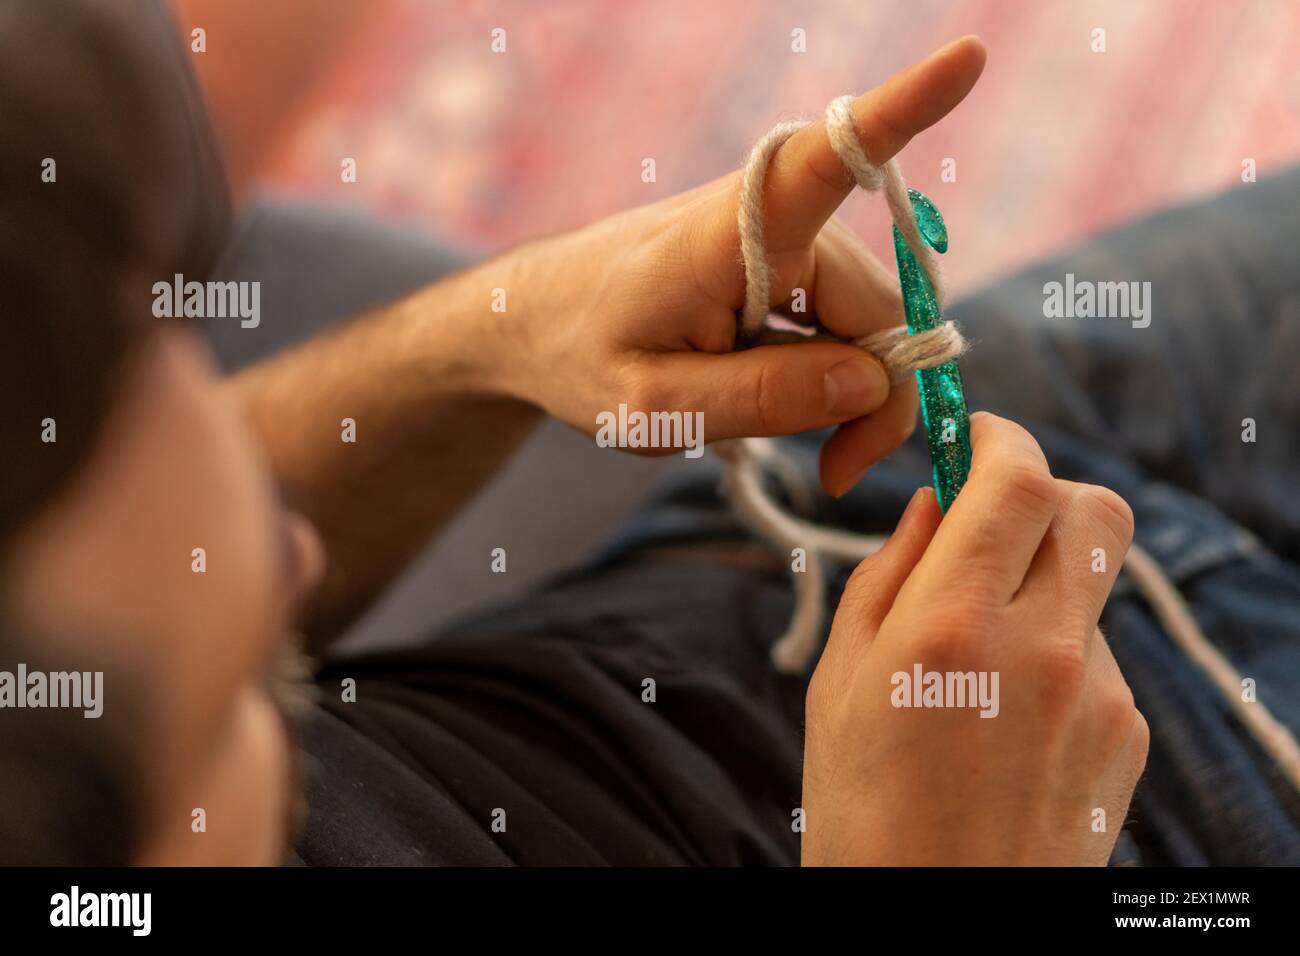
943	400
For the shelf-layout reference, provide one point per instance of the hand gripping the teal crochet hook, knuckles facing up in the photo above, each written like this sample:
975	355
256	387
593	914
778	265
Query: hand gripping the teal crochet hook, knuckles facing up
1006	585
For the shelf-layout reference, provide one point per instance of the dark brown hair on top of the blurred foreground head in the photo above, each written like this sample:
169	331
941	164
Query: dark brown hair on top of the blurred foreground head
99	90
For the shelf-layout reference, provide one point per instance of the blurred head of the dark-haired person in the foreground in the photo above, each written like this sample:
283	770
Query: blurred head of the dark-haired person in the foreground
149	462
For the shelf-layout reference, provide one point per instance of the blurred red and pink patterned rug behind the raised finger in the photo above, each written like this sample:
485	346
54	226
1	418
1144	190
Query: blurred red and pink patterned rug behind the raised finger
1056	142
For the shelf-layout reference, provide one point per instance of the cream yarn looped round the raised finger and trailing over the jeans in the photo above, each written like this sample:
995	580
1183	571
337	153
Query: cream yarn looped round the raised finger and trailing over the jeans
902	356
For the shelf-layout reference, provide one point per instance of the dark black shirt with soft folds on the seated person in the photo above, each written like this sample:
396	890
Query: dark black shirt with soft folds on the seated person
530	738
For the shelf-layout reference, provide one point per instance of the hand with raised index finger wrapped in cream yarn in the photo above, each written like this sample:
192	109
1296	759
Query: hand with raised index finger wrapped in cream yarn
642	309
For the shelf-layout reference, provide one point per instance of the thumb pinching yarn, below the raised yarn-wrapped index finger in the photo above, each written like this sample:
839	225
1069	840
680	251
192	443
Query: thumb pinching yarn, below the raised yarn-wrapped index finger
779	390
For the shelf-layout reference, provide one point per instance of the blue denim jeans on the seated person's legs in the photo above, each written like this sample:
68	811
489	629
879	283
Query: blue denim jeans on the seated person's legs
1158	414
